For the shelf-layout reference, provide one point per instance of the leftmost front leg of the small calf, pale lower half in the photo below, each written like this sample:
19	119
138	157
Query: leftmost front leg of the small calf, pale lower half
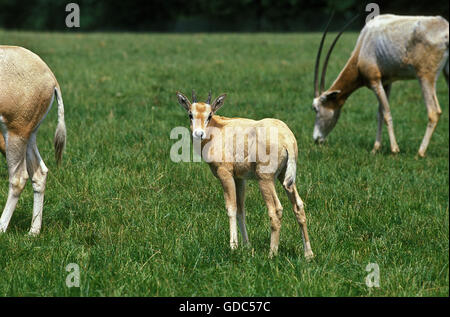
229	192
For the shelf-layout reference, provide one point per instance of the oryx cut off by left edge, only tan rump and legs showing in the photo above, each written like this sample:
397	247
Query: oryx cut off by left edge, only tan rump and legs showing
27	90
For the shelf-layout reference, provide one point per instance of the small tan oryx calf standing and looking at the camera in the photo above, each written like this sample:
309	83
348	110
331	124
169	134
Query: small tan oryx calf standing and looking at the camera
238	149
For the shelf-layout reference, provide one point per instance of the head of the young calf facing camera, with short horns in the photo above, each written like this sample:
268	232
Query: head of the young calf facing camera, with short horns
200	113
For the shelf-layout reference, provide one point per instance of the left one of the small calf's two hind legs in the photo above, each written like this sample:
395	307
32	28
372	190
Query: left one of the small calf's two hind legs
275	210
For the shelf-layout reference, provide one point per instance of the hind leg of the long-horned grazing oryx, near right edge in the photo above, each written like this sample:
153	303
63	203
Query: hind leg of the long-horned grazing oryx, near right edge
433	109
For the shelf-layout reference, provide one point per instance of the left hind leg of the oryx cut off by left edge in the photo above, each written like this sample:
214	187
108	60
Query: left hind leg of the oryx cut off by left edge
15	158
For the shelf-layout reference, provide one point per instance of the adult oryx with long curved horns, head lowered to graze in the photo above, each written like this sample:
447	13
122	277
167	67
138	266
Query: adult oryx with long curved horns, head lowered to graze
389	48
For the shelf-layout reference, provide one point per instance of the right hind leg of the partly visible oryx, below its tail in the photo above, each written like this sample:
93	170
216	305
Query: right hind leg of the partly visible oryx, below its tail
38	172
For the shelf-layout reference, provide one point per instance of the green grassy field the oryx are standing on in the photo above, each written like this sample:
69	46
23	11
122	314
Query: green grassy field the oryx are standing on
139	224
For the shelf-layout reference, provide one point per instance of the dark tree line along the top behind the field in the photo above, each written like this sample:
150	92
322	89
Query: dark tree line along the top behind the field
202	15
